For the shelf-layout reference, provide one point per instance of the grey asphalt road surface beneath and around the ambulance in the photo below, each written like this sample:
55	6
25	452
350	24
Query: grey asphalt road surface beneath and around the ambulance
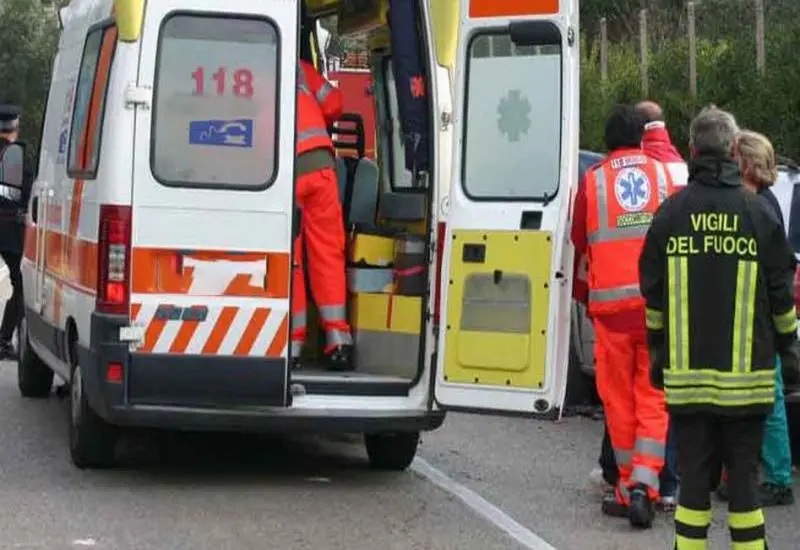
175	492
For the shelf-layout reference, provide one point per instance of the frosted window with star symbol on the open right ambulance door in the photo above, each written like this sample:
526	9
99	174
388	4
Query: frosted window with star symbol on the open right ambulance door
512	140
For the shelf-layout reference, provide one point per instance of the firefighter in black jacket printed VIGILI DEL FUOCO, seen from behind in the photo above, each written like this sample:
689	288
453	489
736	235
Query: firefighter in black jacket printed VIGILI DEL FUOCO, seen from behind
716	272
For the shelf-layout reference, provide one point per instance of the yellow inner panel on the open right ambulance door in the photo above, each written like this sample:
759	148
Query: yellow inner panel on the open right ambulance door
497	308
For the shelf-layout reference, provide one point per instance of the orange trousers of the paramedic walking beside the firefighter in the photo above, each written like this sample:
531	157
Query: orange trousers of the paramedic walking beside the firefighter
635	410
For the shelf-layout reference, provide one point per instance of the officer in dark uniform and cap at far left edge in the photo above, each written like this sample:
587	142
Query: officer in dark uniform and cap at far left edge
14	191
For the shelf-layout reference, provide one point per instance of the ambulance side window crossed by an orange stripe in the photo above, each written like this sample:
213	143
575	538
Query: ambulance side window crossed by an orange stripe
90	98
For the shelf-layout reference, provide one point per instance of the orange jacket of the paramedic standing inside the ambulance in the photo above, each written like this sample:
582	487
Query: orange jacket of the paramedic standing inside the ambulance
319	105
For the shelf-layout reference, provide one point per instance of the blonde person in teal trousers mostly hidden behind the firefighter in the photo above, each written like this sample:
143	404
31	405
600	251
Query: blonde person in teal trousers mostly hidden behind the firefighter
756	158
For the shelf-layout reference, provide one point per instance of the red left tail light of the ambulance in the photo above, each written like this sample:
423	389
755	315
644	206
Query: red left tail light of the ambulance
113	256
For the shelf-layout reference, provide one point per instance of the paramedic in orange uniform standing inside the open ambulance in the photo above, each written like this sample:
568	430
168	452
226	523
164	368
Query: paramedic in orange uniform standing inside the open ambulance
322	237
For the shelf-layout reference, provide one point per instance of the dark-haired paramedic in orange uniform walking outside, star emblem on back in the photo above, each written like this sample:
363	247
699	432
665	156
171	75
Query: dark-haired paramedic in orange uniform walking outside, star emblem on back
613	209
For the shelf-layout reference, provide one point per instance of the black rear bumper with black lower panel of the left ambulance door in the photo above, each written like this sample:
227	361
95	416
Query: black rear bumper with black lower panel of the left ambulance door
196	392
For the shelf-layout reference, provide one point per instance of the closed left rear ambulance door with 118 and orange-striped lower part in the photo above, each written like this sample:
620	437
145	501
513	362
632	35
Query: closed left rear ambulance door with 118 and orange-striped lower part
212	201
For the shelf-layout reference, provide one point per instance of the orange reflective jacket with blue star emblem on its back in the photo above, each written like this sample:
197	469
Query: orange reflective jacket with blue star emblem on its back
622	195
